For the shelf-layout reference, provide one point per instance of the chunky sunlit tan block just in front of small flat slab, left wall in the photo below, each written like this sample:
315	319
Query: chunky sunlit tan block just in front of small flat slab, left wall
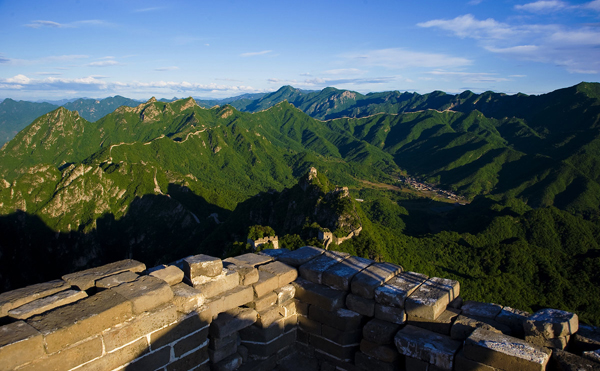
145	293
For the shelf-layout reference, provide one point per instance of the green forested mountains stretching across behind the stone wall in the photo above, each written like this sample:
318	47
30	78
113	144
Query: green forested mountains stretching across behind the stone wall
161	180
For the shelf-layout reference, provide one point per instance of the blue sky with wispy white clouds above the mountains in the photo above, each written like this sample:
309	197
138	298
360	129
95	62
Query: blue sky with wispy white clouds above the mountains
139	49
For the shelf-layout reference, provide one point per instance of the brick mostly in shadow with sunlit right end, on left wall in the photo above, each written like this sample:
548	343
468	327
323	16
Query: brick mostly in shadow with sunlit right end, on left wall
198	320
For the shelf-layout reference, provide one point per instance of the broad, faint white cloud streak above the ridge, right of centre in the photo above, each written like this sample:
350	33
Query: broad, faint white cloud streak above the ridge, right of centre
397	58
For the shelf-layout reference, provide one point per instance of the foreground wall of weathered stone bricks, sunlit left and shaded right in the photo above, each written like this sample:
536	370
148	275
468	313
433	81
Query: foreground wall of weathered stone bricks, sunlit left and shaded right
307	309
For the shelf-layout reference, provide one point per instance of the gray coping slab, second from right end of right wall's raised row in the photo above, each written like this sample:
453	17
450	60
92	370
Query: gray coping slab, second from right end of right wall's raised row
395	291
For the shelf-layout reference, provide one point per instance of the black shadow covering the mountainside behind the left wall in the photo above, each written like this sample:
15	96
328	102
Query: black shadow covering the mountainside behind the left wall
156	229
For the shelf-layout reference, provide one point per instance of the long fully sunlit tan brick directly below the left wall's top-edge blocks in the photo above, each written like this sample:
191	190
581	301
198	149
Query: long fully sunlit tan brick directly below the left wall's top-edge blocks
139	326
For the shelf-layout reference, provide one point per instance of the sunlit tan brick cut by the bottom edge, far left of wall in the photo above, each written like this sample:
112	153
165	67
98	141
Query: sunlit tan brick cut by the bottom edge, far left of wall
67	358
